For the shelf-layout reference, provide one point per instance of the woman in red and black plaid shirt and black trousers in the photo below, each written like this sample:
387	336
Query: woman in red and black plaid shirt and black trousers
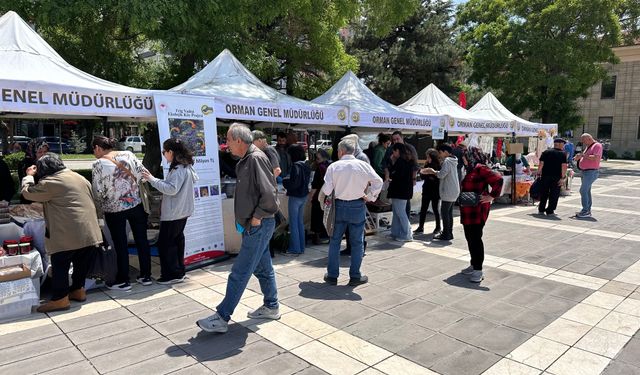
478	179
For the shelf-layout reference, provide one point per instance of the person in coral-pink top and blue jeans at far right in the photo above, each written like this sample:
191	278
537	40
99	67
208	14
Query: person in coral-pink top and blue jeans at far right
589	164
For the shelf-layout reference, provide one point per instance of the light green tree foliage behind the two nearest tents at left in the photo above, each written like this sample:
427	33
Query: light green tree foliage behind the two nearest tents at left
290	44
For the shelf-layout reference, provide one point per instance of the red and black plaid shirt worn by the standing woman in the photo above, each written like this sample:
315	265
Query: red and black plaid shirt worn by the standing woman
478	181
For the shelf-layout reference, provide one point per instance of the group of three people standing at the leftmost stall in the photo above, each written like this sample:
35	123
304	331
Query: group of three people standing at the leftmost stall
72	207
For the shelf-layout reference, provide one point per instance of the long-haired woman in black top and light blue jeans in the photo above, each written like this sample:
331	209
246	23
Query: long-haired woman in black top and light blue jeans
400	191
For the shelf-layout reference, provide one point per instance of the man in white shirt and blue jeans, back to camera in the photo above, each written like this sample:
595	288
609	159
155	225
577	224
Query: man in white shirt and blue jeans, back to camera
355	183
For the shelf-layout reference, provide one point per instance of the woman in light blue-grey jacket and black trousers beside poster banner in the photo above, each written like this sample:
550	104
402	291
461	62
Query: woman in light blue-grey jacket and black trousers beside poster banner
177	206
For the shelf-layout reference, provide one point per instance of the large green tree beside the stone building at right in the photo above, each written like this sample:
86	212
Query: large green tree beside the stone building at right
541	55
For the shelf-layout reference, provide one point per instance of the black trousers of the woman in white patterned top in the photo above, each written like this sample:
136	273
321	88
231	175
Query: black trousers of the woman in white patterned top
117	224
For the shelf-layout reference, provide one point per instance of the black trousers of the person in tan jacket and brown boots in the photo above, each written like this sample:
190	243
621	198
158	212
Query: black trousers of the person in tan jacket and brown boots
60	263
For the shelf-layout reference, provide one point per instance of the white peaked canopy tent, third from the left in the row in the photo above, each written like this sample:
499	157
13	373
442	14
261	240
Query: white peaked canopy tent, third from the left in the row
368	110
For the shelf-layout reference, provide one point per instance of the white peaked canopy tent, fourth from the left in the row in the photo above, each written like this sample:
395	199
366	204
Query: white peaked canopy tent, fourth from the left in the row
433	101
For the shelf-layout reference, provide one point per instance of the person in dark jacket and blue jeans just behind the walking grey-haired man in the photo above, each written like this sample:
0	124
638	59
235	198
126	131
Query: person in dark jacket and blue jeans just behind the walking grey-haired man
297	185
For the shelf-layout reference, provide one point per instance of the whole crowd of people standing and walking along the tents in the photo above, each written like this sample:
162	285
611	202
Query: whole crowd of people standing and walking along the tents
452	174
